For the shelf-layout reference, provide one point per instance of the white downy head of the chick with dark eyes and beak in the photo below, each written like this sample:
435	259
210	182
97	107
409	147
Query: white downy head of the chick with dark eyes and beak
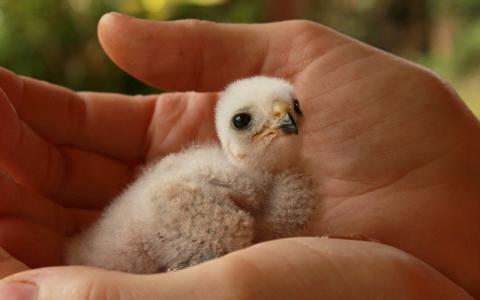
257	121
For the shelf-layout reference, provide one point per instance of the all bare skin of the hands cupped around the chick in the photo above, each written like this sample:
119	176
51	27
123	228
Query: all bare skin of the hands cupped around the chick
393	151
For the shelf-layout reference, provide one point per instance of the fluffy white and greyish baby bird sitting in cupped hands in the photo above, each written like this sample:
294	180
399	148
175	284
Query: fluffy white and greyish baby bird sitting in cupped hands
210	200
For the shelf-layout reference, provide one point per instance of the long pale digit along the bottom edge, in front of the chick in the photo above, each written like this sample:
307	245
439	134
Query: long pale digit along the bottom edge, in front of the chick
302	268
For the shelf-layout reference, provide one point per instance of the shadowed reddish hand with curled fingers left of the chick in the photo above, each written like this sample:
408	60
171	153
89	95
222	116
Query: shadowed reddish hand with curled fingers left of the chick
65	155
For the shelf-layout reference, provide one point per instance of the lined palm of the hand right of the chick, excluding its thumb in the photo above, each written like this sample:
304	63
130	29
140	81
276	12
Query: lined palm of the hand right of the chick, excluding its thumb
394	163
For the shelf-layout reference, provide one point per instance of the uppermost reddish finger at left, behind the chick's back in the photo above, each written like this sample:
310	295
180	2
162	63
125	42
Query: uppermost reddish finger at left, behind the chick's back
91	121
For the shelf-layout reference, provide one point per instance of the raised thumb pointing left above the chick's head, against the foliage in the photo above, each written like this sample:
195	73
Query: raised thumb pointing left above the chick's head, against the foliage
204	56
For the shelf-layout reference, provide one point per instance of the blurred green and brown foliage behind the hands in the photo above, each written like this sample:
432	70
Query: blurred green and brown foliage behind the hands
55	40
